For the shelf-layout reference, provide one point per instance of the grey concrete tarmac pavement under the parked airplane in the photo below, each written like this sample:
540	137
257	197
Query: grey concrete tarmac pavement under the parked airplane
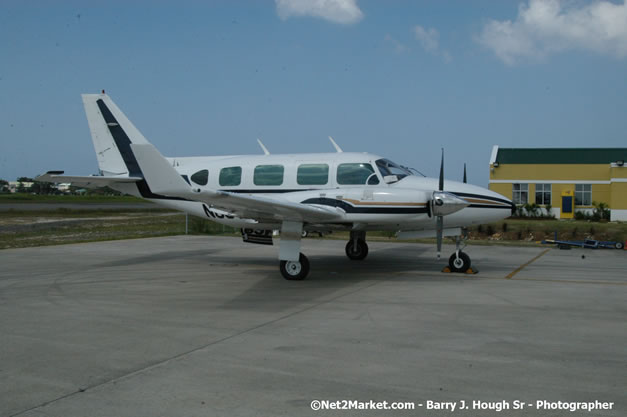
206	326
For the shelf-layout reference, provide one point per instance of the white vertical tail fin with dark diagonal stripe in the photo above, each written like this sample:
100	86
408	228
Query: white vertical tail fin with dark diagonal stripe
112	134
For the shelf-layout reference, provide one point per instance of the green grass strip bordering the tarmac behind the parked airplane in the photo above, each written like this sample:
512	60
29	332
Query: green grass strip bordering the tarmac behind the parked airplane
24	228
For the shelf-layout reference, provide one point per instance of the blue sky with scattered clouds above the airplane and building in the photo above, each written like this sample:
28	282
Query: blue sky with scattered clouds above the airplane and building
400	79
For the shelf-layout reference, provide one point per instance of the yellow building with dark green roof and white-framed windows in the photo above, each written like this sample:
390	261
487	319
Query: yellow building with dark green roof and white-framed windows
567	179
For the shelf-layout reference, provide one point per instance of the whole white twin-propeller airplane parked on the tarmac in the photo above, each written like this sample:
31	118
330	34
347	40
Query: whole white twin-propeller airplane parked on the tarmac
355	192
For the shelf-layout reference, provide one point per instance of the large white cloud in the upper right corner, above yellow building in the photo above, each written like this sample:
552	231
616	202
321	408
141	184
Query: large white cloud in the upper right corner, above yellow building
547	26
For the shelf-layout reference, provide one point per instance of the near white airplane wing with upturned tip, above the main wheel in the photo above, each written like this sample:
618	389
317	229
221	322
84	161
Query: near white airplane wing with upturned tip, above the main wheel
163	179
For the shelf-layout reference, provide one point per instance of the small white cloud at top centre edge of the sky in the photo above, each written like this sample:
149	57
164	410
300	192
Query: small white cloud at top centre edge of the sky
336	11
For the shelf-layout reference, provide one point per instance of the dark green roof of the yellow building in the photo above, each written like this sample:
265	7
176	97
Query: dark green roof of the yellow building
560	155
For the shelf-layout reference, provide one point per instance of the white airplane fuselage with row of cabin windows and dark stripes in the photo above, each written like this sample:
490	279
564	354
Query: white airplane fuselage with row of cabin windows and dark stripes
366	202
